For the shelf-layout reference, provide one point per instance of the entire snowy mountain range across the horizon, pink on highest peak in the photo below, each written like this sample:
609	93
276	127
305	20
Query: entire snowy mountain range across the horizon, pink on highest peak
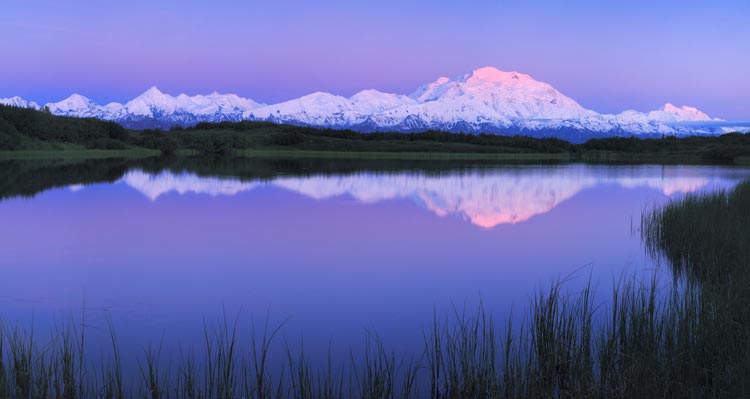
486	100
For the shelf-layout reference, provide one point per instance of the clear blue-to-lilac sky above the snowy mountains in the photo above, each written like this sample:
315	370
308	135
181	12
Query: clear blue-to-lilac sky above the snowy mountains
609	56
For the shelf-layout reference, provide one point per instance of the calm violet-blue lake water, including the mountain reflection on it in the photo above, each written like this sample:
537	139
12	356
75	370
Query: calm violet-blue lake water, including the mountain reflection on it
332	254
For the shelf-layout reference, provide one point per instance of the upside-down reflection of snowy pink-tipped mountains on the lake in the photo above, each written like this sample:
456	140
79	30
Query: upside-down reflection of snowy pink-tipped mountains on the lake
485	198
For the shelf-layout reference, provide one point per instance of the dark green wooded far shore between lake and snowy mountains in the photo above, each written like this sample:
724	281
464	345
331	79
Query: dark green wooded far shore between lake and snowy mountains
28	129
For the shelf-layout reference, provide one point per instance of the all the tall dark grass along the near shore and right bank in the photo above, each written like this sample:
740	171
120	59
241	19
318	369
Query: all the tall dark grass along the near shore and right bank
686	340
